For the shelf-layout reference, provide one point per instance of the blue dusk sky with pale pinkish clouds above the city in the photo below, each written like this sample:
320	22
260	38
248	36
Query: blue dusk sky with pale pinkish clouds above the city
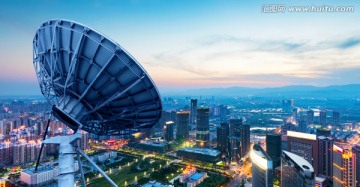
186	44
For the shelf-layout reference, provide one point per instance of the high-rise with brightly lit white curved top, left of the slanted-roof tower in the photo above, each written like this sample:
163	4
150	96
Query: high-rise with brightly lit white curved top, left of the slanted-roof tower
262	167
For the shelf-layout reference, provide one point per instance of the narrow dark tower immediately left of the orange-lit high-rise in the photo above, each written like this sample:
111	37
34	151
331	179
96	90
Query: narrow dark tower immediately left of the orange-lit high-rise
325	156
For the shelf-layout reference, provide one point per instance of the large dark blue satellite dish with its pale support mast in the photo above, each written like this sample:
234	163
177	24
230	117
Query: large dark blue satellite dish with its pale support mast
93	84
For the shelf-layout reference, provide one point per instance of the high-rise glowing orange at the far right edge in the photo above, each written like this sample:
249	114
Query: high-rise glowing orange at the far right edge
344	166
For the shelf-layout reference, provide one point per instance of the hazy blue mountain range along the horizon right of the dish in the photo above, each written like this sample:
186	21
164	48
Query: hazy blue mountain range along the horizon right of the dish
336	91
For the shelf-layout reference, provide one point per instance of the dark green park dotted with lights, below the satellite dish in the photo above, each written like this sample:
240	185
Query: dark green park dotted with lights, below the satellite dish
137	169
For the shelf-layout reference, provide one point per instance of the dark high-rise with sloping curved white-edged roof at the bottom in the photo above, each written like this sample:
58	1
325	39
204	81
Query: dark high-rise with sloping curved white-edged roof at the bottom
296	171
